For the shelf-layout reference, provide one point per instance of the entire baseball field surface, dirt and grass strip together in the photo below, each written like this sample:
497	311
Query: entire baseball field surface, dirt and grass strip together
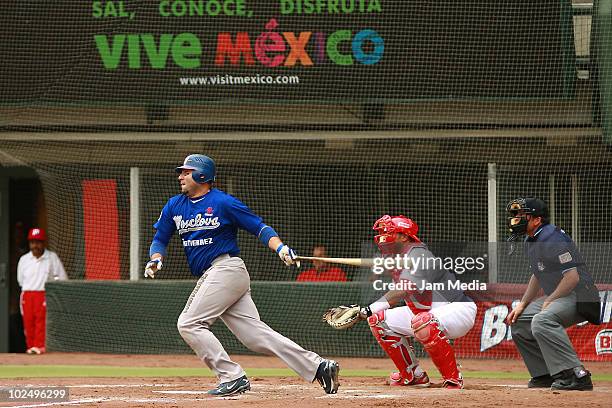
103	380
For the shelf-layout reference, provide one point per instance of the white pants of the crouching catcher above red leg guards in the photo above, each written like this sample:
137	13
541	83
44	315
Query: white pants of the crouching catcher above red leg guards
456	319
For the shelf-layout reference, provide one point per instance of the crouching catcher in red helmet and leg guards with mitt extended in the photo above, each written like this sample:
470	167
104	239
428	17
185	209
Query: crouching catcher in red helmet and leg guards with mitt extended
431	317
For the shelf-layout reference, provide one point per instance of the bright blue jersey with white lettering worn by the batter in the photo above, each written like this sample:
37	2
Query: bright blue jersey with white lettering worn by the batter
208	226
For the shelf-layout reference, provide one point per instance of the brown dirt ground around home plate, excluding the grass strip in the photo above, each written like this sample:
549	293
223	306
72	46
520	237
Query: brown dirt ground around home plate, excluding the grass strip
282	391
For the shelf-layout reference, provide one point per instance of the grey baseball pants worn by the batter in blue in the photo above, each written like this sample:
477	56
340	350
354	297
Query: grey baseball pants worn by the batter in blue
224	292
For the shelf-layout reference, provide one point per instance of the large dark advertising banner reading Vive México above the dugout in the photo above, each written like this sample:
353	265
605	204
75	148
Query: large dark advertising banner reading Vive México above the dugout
185	51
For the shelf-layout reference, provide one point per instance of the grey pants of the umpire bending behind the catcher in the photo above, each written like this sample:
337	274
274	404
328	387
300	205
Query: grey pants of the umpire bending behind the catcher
541	338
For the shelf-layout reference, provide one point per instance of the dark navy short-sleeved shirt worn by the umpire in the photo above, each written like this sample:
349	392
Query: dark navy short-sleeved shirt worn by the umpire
551	253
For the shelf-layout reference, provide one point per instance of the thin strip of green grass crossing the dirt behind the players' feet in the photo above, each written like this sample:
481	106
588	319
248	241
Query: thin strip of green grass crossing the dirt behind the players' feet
82	371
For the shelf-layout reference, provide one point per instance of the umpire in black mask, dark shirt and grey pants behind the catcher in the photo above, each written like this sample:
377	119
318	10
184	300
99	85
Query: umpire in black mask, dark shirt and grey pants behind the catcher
538	325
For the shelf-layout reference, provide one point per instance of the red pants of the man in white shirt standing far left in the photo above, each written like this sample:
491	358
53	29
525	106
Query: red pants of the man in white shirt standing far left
34	313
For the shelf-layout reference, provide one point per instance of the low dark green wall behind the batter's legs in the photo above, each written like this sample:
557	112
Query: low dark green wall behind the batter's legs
140	317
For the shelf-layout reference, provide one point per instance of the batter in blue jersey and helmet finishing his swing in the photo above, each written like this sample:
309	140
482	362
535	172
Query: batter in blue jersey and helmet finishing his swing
207	220
